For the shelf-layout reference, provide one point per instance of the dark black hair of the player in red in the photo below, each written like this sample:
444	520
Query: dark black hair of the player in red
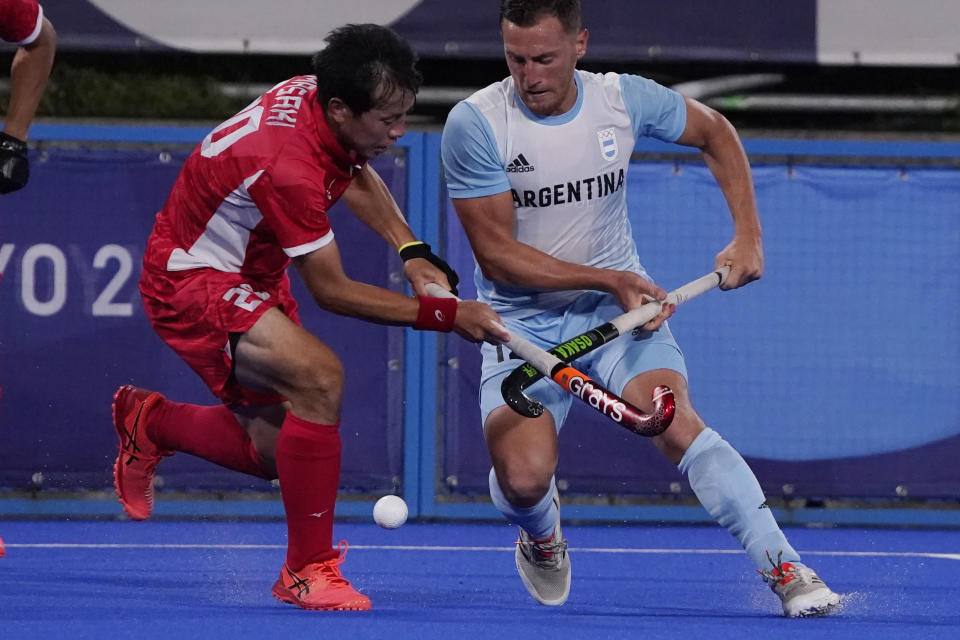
360	60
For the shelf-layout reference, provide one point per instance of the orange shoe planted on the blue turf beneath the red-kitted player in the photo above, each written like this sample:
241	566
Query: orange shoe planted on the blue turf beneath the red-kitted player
320	586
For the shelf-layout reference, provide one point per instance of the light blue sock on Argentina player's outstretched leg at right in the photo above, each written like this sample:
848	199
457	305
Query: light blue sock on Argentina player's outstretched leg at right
729	491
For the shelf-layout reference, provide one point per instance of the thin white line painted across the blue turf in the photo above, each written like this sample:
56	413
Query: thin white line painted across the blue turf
653	551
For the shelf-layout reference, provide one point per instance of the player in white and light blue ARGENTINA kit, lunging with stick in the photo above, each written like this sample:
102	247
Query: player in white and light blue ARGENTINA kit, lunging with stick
536	166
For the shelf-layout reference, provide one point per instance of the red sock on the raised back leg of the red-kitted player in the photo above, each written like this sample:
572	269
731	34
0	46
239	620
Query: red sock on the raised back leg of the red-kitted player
211	433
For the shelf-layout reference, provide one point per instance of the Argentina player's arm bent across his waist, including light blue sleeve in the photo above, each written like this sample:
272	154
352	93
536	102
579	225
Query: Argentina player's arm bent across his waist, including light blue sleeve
483	201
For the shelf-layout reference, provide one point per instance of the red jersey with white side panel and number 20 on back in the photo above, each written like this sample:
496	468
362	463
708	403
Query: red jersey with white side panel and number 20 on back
256	191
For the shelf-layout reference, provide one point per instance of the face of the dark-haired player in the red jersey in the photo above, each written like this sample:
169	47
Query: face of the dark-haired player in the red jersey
370	134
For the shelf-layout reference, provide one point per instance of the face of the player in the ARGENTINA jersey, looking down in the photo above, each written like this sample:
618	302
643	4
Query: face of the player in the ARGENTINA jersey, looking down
542	59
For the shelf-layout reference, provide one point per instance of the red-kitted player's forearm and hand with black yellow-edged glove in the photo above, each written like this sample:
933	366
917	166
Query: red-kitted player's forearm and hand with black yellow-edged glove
371	201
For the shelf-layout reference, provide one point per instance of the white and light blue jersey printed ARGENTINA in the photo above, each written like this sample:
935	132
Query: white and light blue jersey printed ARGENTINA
567	173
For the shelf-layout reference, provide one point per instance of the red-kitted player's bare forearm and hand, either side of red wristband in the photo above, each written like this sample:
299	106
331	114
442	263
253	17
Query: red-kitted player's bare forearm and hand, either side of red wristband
333	290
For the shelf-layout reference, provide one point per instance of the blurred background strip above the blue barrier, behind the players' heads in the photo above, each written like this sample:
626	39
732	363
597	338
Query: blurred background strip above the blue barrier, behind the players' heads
802	66
